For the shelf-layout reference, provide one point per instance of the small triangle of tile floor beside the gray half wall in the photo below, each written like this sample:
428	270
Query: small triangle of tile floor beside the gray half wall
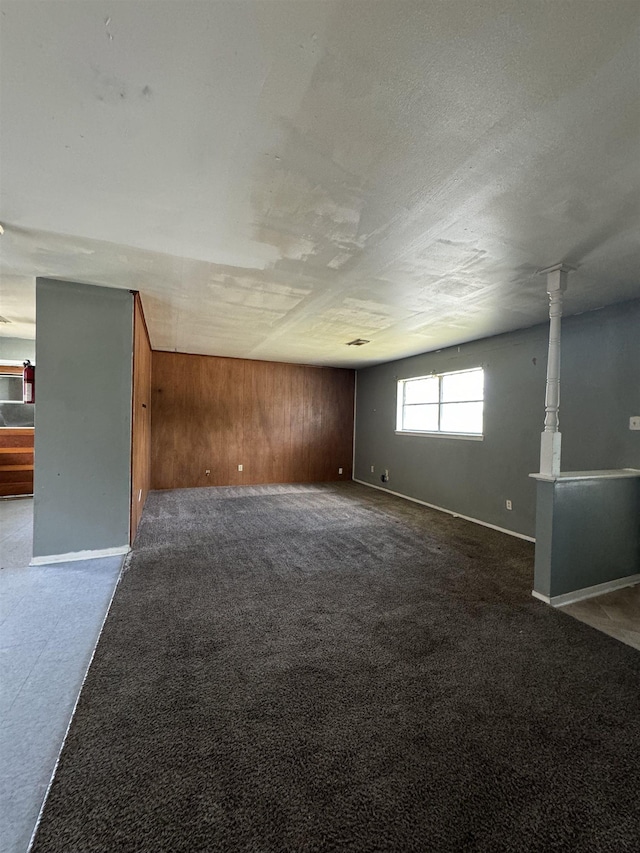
615	613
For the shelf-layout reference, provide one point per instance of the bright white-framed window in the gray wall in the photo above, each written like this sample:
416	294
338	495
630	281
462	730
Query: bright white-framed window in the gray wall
449	403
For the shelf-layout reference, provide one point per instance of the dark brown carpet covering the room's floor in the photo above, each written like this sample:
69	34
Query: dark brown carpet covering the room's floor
320	668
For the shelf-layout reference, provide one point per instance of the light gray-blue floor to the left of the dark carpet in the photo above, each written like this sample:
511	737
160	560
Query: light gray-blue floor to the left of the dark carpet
50	619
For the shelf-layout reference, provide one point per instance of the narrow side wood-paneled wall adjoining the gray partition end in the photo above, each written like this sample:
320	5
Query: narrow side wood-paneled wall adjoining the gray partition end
141	416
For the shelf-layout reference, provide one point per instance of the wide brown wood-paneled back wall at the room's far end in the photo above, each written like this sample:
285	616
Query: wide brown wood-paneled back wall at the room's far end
284	423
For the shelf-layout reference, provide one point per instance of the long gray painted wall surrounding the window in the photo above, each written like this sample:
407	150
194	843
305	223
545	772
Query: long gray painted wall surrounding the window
600	390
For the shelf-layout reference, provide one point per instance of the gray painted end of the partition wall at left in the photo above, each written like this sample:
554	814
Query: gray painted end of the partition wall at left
83	417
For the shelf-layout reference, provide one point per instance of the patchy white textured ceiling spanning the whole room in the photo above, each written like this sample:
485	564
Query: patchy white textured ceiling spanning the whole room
280	178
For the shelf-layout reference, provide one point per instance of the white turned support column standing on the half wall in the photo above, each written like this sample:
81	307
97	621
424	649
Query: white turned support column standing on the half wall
551	439
